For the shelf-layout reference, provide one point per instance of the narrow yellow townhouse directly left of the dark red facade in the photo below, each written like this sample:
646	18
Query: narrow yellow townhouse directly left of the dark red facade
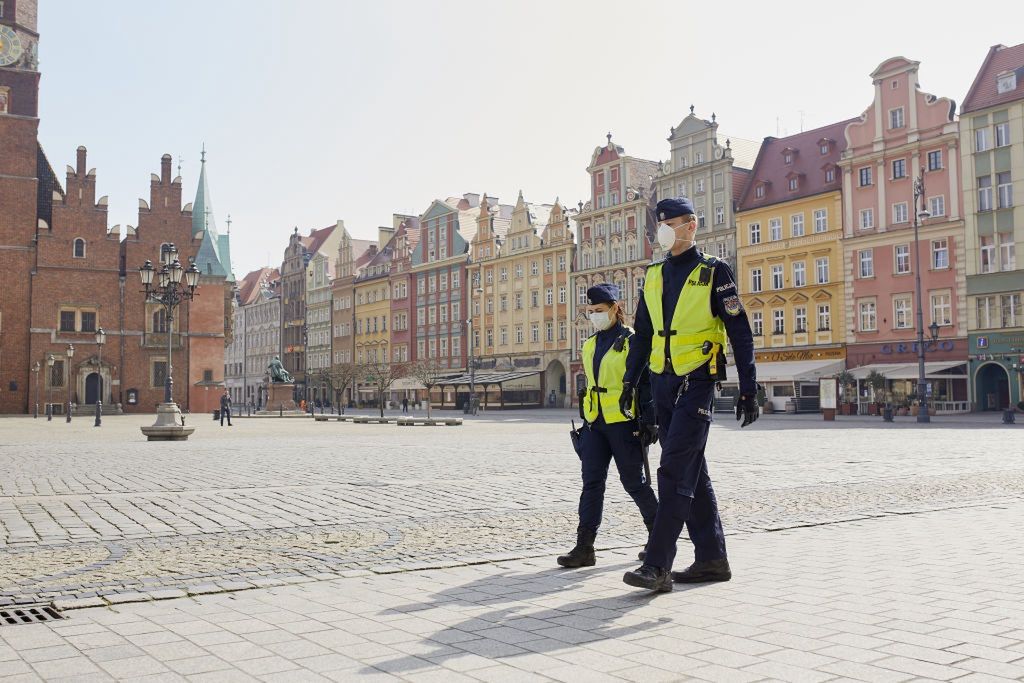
372	294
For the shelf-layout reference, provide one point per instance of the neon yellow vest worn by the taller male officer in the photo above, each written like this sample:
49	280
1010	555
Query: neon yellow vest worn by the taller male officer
693	324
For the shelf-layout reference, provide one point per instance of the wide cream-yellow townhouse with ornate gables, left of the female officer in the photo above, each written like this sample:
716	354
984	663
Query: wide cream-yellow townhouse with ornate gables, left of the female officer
522	305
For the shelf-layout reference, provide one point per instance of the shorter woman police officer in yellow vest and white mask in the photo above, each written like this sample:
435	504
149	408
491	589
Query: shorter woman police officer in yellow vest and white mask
608	433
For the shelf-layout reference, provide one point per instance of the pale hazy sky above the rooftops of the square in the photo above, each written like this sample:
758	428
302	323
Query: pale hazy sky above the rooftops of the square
314	110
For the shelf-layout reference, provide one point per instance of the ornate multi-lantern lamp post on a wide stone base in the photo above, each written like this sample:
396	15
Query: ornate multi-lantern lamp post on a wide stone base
175	286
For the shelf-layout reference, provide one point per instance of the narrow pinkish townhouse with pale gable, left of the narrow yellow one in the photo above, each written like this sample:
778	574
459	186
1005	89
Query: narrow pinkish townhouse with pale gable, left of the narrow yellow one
353	257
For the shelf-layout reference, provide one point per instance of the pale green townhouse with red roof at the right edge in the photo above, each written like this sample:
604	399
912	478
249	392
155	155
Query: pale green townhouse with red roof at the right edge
993	153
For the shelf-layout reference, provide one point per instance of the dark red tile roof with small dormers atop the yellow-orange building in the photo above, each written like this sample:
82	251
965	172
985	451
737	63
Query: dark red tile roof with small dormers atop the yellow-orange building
808	164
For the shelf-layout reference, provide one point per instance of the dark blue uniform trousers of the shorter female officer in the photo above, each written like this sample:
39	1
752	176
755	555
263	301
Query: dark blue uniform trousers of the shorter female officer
602	443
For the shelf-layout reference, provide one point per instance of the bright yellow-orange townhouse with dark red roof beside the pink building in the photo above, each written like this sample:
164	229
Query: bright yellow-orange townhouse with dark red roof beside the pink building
790	264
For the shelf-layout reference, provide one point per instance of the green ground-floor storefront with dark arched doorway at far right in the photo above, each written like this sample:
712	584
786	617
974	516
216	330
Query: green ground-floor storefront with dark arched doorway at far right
997	368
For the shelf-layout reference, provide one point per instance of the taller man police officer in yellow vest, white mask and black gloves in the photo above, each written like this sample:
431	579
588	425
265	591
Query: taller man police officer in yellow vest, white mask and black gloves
690	305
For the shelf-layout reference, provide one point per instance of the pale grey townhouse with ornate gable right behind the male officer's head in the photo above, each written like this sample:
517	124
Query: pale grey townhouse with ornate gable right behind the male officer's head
713	175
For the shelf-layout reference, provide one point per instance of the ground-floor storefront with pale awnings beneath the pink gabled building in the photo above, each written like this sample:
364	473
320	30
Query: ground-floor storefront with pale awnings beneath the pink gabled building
946	374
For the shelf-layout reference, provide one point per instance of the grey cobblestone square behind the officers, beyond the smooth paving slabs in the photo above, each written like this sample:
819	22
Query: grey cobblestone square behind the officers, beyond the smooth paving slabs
96	517
